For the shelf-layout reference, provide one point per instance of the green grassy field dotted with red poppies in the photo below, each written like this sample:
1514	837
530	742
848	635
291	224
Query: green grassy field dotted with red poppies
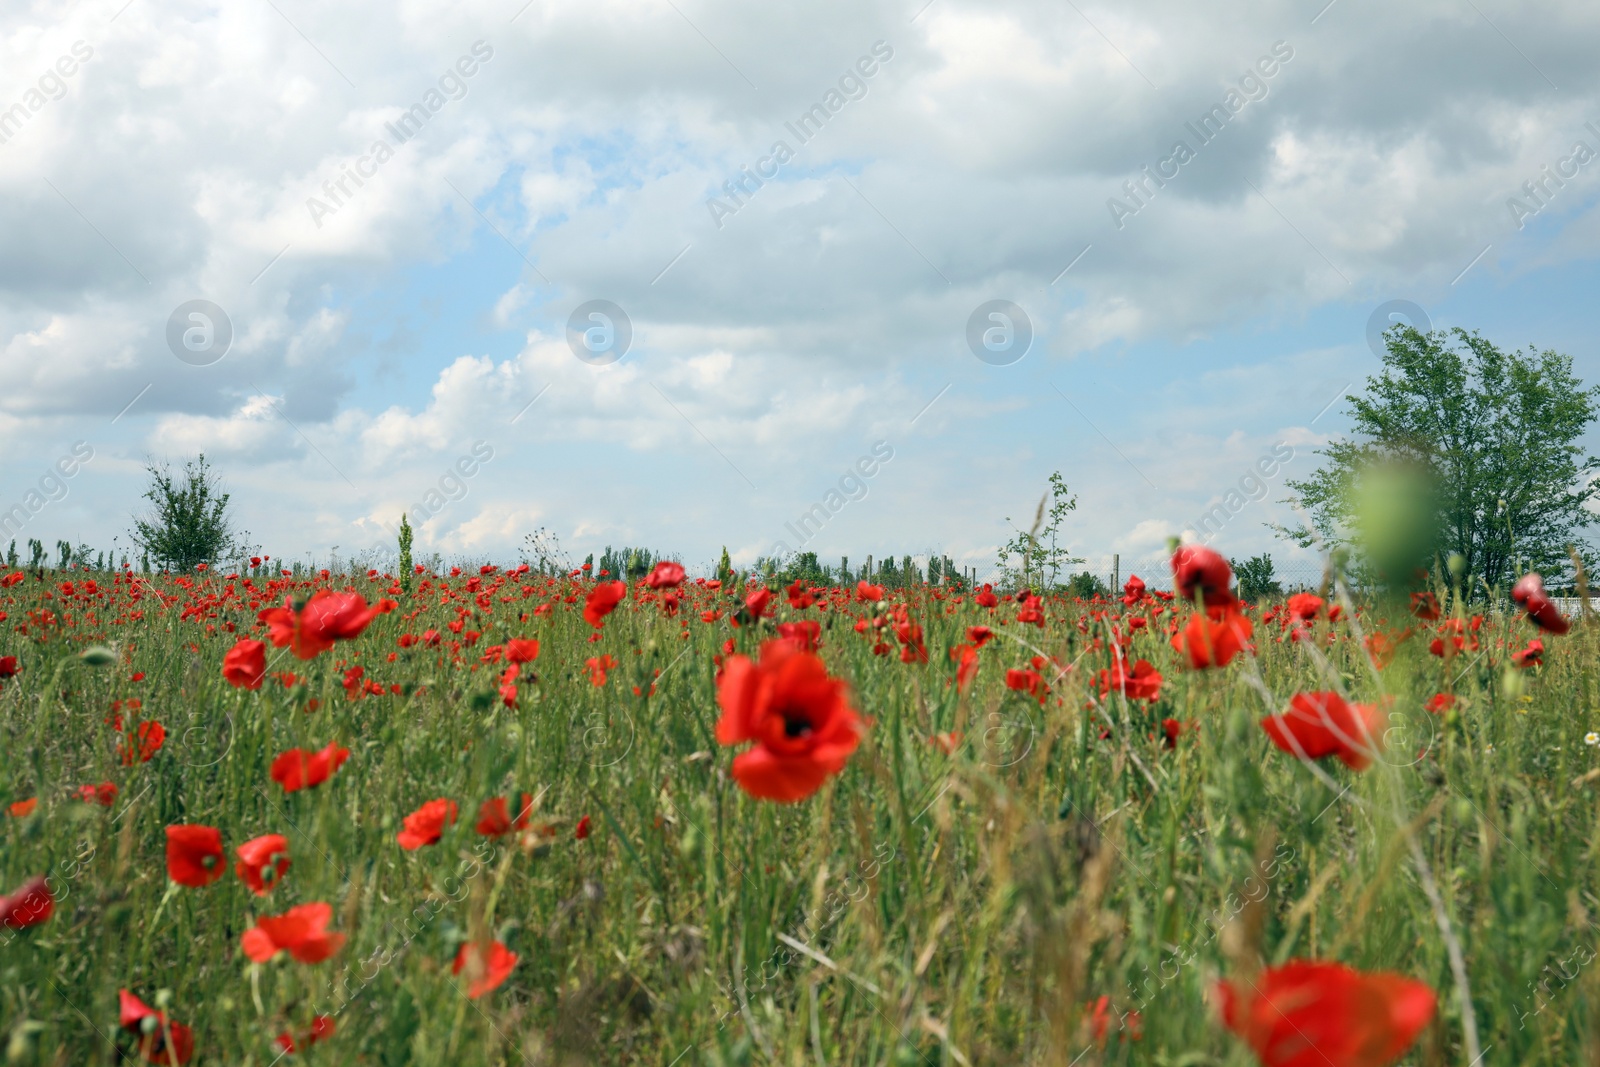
521	818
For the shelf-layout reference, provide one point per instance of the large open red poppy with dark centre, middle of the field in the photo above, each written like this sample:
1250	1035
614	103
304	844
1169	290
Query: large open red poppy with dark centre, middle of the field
798	716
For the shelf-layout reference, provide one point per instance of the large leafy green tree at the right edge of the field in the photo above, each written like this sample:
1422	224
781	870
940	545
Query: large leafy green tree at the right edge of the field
1497	436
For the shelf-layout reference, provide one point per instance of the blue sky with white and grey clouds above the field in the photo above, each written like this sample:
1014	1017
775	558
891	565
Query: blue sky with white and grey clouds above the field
399	209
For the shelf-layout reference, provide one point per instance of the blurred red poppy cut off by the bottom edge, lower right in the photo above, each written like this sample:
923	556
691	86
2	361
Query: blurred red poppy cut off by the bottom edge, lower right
1327	1015
